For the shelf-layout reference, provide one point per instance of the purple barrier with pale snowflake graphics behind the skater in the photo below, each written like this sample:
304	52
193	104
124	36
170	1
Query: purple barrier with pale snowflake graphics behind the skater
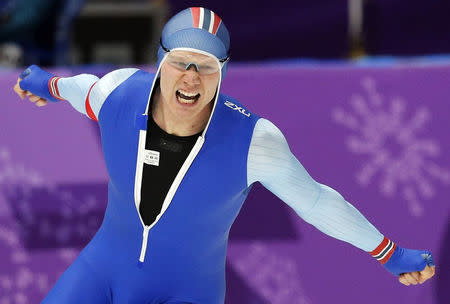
53	184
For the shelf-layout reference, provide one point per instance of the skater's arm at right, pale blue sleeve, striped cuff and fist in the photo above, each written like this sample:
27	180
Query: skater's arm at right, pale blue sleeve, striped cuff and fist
271	162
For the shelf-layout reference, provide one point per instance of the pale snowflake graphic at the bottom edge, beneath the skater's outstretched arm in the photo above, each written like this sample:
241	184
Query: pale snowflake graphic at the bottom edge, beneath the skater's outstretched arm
275	277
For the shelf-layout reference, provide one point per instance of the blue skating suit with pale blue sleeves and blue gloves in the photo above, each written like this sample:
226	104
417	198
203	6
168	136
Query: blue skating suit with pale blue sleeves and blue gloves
180	257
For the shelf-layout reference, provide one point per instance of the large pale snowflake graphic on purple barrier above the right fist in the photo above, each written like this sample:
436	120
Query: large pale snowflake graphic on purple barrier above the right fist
394	146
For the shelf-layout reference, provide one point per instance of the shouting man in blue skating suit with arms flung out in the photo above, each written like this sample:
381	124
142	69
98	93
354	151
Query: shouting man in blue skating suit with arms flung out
174	190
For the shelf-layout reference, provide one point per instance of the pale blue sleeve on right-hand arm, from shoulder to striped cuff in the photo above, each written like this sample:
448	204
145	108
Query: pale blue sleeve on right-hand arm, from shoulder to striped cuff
271	163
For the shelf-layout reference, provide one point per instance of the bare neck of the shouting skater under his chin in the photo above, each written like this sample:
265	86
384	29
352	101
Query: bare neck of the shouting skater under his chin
178	126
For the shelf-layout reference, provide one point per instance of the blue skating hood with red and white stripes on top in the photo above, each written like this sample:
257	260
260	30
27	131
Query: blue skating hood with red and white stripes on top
197	28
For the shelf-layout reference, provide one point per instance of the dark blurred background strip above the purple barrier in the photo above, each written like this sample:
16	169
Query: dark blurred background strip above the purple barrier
126	32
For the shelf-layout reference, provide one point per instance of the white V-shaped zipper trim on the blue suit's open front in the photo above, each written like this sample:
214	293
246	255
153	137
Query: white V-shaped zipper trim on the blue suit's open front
172	190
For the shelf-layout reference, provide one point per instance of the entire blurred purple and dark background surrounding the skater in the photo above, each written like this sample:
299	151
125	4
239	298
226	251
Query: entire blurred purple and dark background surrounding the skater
346	81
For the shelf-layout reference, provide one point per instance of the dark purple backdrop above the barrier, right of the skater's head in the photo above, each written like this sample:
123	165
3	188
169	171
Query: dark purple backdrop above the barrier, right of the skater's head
319	29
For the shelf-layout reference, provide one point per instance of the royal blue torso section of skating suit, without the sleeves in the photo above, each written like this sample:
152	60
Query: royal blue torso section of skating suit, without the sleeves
180	257
